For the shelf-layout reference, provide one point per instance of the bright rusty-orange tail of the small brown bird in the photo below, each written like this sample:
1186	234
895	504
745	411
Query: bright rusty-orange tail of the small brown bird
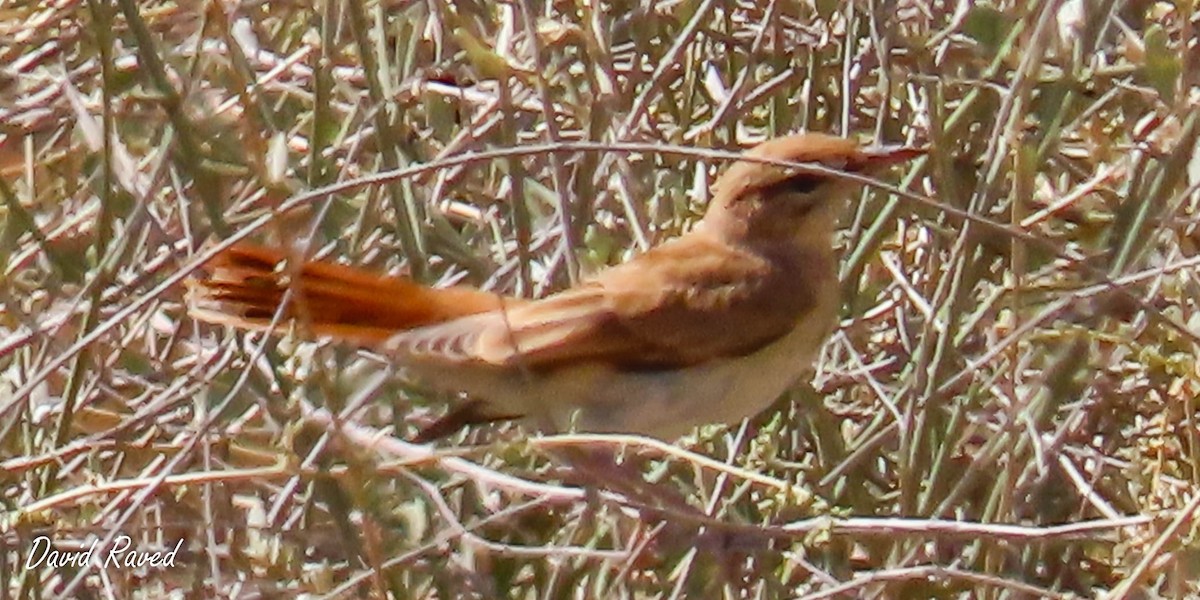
248	284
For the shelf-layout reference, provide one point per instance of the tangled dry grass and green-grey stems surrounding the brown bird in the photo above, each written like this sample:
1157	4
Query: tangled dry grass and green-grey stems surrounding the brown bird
1007	411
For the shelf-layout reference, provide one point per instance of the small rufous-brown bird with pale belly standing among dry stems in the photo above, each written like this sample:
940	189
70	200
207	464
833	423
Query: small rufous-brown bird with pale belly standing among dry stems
710	327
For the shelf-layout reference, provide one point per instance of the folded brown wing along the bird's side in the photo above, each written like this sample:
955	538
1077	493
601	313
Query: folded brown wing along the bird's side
685	303
